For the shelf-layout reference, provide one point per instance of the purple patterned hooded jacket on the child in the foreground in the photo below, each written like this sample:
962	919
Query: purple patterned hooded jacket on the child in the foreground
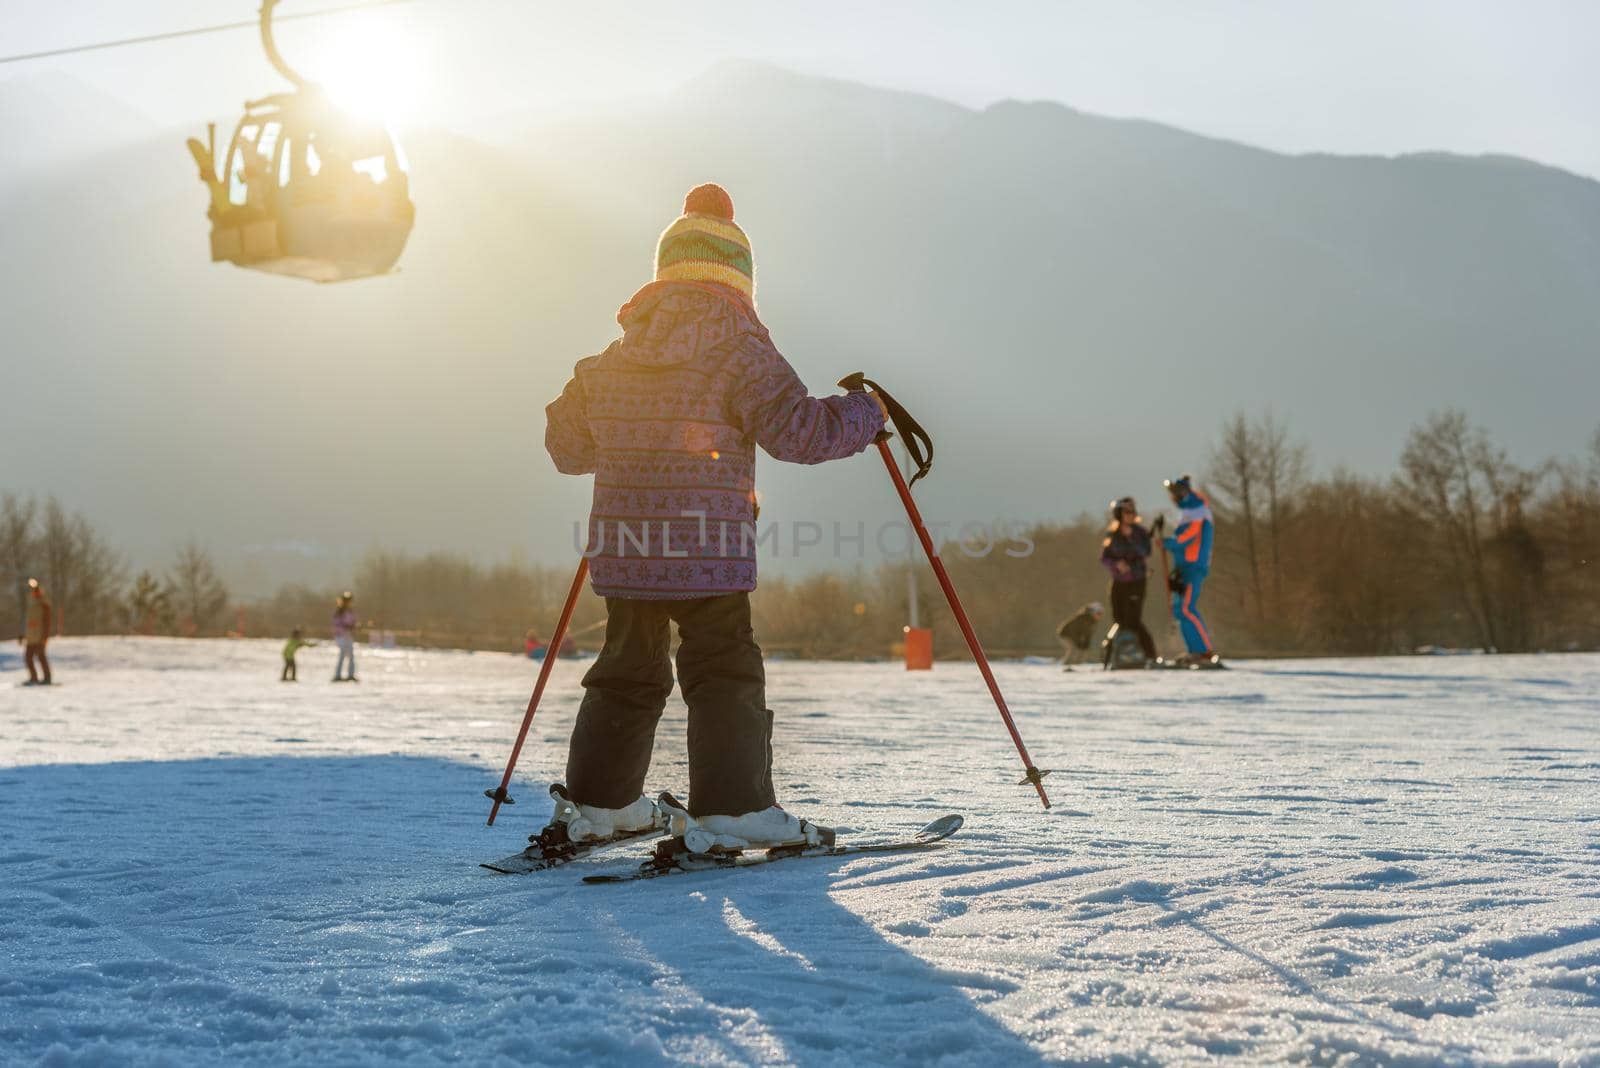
668	420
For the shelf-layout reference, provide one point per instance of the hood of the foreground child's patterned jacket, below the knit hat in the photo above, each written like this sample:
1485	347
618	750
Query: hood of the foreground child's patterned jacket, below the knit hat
670	324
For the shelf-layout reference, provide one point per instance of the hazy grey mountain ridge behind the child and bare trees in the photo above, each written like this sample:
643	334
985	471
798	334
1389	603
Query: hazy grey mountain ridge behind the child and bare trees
1031	279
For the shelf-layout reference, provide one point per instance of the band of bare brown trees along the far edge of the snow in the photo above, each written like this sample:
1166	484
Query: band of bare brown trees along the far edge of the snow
1460	549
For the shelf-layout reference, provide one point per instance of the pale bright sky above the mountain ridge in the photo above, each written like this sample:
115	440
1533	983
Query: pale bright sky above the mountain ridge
1348	76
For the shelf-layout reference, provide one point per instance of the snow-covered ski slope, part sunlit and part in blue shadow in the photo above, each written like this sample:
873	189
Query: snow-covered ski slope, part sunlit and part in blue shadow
1327	863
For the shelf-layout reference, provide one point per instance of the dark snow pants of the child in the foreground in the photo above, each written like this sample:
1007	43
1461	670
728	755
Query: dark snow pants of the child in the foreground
724	685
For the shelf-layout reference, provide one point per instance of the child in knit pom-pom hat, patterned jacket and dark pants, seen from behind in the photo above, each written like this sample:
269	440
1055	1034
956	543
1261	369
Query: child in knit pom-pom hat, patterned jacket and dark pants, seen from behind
668	420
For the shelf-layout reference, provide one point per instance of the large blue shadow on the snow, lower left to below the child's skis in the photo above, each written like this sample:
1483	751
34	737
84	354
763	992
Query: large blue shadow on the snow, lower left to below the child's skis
298	890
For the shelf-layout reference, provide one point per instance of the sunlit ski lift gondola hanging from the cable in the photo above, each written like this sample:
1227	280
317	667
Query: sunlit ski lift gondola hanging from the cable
305	189
